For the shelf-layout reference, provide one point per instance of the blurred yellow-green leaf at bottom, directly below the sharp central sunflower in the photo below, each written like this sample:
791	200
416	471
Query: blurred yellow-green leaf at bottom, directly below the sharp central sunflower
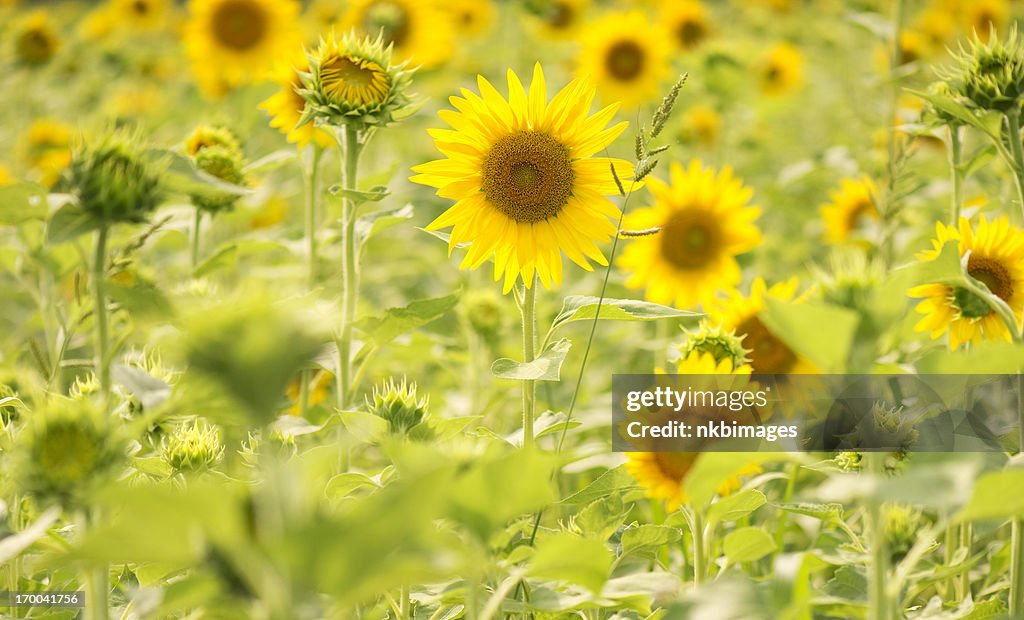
566	558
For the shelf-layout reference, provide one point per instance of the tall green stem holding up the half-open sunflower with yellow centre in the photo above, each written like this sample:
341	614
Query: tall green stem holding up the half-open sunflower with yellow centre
350	268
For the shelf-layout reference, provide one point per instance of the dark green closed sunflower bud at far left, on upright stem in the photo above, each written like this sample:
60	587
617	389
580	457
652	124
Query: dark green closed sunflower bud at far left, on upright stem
113	182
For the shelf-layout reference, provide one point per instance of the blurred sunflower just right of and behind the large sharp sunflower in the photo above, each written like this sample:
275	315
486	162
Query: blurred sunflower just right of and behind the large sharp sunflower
706	223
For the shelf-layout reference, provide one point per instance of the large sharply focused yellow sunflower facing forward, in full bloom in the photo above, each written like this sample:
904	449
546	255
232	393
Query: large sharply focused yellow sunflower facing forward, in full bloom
527	186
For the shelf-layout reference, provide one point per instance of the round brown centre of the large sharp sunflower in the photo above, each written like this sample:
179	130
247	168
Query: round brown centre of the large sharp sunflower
528	177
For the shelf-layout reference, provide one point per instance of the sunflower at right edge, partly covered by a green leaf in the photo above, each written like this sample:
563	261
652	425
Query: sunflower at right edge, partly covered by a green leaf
998	261
